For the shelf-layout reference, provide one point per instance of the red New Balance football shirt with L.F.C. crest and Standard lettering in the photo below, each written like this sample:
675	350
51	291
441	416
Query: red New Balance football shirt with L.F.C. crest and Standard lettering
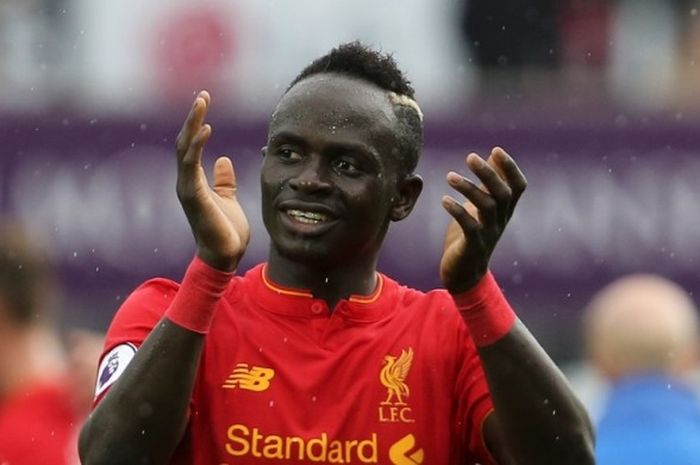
390	378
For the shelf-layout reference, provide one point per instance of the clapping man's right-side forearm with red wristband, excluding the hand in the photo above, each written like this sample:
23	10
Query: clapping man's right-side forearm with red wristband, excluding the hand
538	419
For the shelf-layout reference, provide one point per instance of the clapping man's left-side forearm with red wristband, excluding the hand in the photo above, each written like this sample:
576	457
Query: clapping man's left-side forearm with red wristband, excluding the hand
143	416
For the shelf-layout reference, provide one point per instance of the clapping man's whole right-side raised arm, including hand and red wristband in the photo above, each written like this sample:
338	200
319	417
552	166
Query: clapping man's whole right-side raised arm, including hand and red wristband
537	418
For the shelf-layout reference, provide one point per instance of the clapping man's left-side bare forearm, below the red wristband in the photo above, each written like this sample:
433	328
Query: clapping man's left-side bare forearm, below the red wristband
143	416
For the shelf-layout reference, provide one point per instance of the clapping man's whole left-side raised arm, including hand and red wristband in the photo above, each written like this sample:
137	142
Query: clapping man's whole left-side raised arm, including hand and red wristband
143	416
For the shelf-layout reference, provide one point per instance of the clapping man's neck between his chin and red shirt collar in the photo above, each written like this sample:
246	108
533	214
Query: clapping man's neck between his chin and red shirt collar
328	281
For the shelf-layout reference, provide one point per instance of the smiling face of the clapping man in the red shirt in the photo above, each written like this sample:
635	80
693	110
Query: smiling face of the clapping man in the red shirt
329	177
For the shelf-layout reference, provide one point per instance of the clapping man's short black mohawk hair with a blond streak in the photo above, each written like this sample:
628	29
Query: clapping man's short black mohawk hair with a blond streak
360	61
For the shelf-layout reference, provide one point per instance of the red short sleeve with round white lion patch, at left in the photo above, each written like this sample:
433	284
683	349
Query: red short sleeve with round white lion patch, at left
132	323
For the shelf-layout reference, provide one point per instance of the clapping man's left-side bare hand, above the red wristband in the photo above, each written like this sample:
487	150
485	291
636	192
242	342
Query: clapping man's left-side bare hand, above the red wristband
219	226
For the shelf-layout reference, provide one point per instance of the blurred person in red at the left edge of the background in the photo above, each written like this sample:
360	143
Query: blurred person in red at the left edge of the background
45	386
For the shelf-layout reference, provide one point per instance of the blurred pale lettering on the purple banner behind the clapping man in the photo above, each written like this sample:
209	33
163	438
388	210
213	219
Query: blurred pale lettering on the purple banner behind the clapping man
123	210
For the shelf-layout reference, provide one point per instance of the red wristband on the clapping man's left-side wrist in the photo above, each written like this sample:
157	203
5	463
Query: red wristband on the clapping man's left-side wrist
195	303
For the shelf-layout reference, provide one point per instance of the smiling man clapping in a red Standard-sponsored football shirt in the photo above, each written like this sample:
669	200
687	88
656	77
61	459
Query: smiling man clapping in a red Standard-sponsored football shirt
314	357
